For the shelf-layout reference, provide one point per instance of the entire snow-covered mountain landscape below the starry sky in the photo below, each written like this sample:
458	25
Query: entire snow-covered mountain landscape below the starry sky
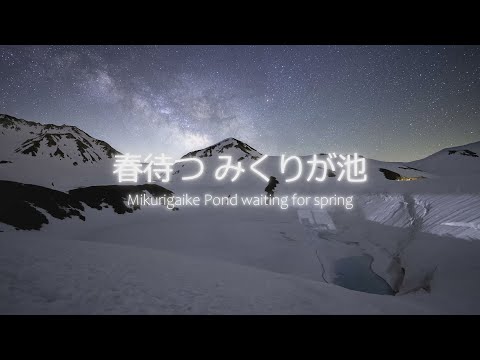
415	239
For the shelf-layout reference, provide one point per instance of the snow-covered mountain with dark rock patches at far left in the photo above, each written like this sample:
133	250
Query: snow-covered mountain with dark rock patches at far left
60	157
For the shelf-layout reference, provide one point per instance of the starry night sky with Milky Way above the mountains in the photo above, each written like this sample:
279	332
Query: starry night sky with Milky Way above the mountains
395	103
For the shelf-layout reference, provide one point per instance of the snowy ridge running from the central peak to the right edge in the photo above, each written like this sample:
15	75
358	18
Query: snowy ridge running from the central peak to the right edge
382	175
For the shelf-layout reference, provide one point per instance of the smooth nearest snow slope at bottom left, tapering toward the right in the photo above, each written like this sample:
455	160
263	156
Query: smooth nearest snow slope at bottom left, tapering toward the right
61	276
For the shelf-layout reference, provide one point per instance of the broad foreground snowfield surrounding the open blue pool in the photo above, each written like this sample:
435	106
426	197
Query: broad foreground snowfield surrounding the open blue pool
253	263
